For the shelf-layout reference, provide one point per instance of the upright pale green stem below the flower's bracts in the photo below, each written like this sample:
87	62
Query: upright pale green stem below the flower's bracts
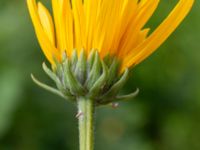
86	123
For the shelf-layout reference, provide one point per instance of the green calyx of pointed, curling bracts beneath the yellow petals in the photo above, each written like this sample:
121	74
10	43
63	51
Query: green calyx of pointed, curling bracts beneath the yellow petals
90	77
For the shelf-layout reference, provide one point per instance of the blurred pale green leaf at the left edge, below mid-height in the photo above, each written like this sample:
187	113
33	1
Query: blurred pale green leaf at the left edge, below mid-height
10	92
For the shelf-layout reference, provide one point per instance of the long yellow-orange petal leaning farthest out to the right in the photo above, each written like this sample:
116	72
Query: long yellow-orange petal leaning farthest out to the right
159	35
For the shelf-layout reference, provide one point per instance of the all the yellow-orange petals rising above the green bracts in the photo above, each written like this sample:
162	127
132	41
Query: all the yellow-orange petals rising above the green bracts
114	27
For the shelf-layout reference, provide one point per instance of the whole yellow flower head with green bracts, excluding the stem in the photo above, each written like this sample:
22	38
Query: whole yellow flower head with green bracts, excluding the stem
91	44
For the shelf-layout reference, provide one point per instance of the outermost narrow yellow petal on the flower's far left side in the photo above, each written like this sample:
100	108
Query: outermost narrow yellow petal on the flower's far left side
48	48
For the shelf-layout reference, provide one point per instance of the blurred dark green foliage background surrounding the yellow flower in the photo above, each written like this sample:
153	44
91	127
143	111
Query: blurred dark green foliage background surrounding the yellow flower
165	115
